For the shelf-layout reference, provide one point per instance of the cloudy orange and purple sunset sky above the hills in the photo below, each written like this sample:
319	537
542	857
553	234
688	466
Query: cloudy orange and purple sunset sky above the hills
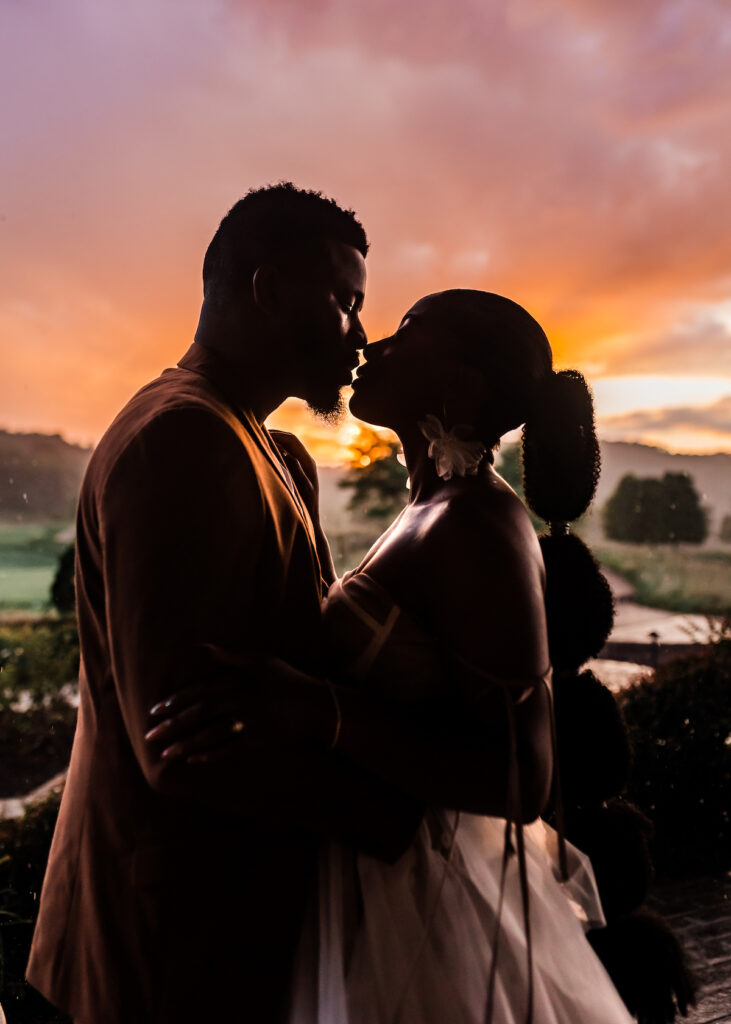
571	154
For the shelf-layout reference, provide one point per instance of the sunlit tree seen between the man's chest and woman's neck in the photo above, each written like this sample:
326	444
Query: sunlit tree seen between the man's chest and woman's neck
376	478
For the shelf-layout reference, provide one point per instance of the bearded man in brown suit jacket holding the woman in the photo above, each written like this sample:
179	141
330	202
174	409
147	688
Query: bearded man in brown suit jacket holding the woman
175	892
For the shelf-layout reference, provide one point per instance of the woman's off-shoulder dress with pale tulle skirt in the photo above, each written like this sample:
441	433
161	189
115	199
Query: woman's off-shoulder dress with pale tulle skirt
415	943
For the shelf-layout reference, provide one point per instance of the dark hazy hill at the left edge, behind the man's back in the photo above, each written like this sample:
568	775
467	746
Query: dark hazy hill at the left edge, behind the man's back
40	477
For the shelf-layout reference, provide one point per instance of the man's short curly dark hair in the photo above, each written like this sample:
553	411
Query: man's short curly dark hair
269	222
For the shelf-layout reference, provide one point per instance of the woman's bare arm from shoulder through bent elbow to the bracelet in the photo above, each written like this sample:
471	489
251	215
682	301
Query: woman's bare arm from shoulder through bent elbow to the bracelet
478	580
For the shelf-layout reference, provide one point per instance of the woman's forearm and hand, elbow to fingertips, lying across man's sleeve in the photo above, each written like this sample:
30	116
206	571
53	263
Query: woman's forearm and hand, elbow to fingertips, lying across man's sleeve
441	764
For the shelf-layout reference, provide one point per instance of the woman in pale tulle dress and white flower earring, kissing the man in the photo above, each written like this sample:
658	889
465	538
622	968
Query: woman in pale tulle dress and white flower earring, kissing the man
440	658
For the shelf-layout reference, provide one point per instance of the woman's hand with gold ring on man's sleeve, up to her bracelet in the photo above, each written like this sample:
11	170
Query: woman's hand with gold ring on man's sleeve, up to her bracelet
256	698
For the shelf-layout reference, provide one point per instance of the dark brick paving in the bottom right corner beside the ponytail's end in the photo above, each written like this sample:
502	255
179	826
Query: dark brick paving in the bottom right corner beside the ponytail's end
700	912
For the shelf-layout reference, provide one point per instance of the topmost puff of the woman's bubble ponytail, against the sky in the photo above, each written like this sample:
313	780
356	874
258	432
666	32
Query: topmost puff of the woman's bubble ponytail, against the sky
562	459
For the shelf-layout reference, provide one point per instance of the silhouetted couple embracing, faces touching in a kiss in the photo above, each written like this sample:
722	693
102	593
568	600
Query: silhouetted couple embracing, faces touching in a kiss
294	798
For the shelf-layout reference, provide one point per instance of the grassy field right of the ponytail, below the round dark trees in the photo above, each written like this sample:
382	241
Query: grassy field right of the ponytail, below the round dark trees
678	579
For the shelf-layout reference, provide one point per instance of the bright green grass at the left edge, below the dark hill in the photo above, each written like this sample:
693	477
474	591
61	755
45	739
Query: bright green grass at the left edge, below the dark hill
29	557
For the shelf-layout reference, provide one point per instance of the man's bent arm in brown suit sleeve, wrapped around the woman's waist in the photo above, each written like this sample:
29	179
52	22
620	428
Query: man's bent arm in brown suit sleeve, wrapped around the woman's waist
183	526
